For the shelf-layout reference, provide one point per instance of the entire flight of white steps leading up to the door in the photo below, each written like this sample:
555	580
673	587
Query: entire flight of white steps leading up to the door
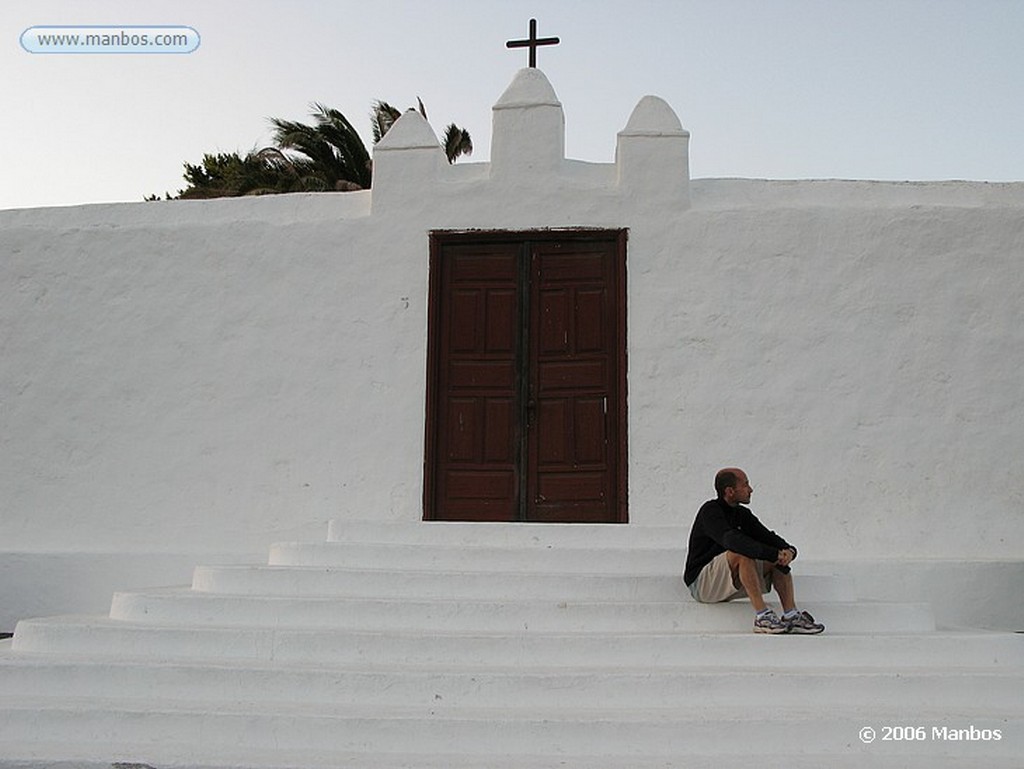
497	647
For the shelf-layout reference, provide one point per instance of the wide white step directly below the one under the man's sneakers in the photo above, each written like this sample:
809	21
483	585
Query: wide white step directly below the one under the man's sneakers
525	689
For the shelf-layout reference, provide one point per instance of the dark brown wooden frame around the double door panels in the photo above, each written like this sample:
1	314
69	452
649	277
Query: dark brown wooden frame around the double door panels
442	238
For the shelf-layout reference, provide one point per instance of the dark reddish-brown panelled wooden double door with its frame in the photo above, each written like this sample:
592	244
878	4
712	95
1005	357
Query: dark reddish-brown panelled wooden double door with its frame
527	377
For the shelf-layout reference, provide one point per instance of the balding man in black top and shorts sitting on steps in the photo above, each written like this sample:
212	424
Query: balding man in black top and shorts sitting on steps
733	554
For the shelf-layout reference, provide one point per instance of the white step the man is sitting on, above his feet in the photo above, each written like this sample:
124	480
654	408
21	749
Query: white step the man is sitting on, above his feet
182	607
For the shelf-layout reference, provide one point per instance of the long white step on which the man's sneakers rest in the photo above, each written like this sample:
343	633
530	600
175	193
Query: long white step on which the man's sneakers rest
102	636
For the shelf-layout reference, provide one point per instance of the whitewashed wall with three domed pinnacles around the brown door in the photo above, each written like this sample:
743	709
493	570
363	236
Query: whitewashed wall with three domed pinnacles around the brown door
200	379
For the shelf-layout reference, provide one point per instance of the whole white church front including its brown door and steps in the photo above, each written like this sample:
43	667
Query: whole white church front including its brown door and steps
472	414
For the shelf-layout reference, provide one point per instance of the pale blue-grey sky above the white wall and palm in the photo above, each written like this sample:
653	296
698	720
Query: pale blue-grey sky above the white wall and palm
783	90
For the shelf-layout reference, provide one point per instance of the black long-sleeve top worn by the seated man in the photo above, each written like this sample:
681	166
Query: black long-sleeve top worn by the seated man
720	527
